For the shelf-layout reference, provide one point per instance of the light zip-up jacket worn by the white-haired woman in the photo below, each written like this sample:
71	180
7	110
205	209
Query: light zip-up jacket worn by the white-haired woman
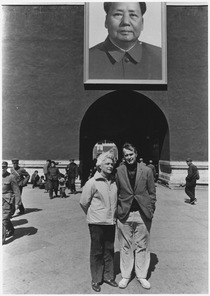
99	200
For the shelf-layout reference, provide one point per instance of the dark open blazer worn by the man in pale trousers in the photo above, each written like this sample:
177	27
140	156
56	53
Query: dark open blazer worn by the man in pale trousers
144	191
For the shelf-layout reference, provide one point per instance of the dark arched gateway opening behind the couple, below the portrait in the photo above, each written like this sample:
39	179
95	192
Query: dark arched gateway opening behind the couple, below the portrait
124	116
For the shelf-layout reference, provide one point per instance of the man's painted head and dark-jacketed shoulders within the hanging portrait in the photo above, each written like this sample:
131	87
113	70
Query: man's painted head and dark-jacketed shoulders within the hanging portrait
122	55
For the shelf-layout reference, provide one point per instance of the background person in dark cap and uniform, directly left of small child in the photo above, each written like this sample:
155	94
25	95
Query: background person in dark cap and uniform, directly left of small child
53	175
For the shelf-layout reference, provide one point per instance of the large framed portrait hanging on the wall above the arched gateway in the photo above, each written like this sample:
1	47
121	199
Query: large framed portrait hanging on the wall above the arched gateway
125	43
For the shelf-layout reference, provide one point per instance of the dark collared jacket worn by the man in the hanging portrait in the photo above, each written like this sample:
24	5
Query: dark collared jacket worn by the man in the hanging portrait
143	61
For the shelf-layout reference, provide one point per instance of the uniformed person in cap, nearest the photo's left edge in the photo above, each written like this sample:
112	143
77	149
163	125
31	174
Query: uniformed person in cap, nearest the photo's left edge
10	198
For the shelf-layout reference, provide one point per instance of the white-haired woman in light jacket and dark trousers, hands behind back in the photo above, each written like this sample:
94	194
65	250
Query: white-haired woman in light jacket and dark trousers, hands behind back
99	202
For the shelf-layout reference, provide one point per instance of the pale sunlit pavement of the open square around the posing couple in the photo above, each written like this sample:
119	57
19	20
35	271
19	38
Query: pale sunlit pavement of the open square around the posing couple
49	253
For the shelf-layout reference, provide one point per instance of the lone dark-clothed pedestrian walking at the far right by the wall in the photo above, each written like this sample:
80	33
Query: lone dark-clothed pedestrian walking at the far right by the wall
192	177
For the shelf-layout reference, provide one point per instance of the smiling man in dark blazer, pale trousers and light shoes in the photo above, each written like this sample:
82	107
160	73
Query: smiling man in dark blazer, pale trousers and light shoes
135	209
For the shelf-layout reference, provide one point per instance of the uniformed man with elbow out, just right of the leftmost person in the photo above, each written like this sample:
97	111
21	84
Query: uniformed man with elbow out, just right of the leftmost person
22	177
